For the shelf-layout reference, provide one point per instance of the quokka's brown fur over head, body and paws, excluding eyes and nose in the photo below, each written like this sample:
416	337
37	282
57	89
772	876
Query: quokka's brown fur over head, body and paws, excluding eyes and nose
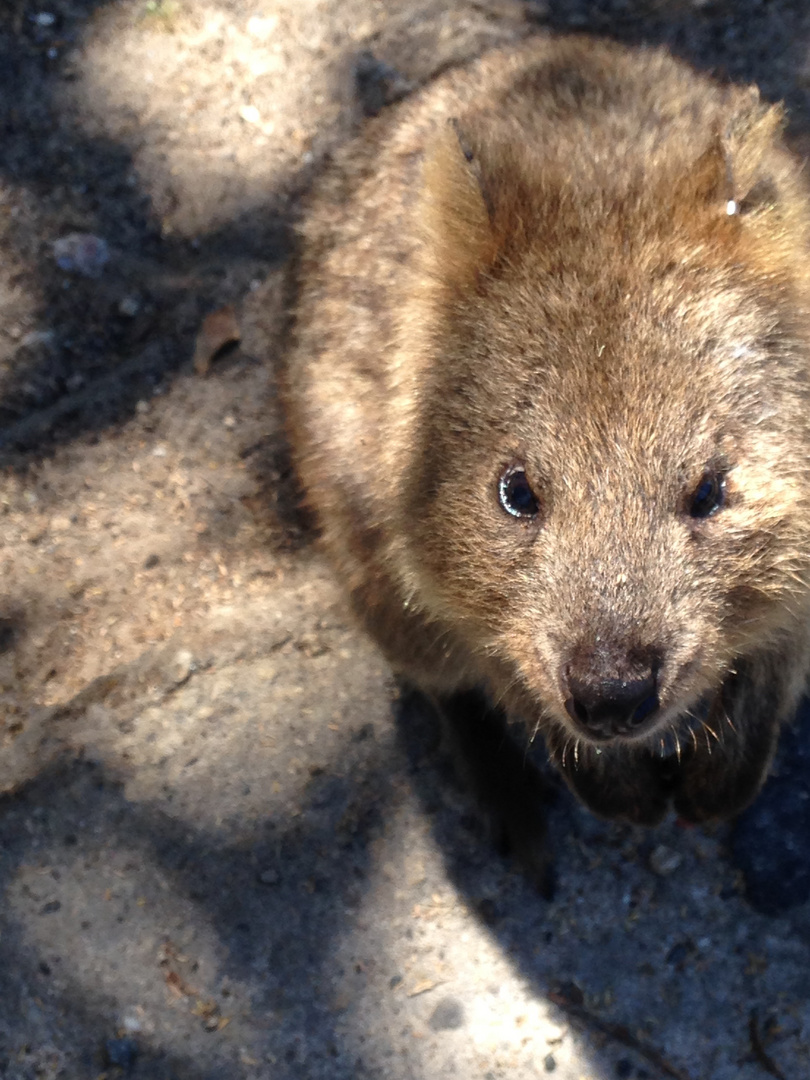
533	261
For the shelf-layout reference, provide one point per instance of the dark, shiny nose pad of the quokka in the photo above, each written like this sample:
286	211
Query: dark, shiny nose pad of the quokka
606	708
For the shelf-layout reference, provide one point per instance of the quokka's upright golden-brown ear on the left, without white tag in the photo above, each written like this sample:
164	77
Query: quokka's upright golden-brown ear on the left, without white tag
456	219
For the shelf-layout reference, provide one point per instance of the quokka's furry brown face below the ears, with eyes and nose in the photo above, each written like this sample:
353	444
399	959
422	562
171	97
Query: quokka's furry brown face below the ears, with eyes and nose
611	494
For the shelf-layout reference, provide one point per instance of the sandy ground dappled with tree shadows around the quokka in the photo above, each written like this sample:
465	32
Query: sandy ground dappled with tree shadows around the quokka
228	849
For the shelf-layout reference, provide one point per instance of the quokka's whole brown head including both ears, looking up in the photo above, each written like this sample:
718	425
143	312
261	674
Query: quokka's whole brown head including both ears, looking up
610	485
